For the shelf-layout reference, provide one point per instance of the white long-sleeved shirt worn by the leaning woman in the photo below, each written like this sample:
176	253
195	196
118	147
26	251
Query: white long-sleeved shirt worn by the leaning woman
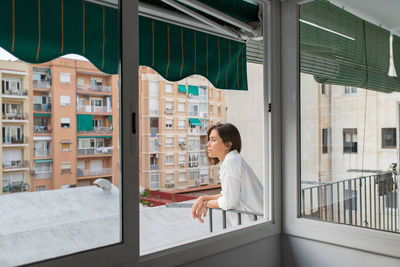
241	189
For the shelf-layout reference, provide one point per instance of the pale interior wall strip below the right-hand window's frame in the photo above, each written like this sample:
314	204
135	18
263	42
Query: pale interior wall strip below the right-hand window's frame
300	252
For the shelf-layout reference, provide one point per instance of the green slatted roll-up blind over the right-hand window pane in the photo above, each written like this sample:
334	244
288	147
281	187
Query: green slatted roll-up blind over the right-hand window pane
340	48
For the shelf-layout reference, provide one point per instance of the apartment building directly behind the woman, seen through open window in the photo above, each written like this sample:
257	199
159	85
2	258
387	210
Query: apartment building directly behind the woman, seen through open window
173	130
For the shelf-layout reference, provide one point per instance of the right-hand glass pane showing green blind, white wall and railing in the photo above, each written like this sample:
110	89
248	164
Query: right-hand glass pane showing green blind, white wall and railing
355	181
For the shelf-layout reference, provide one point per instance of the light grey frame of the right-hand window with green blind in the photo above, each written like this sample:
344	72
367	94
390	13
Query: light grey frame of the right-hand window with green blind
356	238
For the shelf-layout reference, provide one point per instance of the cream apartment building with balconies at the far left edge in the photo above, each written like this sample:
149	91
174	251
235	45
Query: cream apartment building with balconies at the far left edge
15	125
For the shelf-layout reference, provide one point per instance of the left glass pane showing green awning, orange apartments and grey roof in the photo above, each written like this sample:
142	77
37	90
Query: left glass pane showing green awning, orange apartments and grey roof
70	214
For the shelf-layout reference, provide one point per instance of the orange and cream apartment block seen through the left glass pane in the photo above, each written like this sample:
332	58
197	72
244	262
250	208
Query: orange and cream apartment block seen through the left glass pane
57	125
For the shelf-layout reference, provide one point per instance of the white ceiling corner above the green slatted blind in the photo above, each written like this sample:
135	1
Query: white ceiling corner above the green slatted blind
383	12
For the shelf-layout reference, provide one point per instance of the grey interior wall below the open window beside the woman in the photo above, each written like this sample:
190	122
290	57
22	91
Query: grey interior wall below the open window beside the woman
265	252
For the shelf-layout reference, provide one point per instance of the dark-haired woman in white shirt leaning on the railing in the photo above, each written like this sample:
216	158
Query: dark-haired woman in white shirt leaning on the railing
241	189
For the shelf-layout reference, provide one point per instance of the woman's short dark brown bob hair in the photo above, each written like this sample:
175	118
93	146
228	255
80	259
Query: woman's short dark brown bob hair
228	133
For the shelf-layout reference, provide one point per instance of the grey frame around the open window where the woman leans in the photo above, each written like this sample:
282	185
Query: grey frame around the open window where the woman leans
127	252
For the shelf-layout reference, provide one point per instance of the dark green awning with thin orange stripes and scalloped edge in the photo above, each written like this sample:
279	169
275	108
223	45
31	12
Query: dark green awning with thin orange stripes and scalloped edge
46	29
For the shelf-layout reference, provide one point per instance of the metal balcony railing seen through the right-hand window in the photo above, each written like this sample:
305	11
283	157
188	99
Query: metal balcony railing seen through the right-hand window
367	201
